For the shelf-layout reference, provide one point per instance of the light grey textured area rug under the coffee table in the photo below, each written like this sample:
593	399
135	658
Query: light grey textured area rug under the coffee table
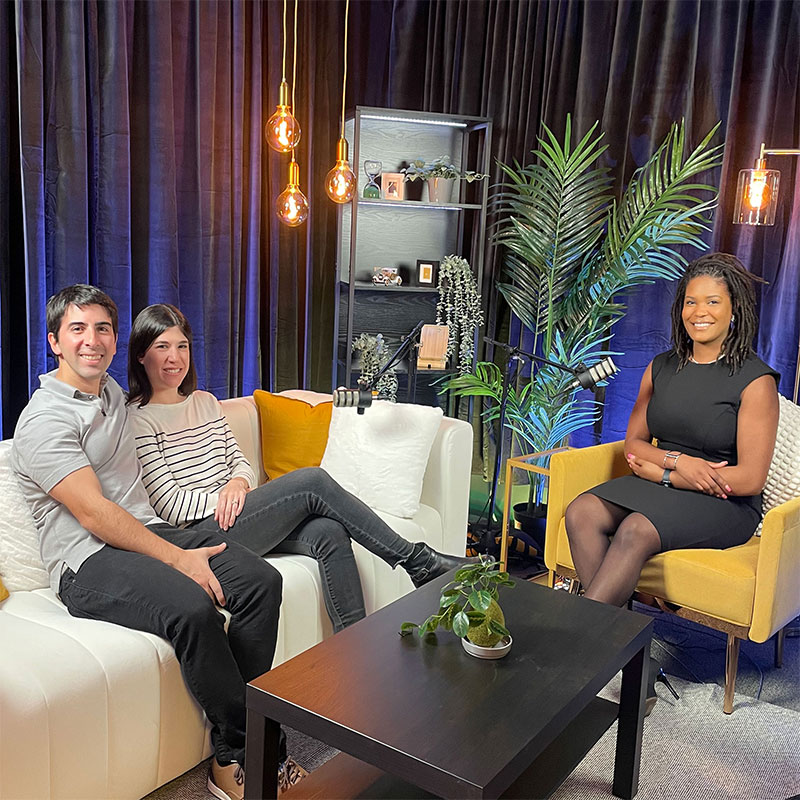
690	751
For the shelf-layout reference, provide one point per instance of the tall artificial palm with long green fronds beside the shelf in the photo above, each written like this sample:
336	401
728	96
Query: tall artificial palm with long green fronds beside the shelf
572	246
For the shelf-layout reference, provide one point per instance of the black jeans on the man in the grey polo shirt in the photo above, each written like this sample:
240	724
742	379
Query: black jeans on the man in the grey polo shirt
142	593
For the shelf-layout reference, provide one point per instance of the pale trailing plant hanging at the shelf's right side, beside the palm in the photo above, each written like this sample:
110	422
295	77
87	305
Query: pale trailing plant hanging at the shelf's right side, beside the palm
459	307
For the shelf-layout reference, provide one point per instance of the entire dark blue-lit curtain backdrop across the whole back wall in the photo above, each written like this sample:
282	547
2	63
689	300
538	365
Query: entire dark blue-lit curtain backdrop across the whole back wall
132	155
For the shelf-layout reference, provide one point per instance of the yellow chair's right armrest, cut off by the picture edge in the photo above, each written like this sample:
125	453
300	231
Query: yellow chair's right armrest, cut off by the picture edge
777	593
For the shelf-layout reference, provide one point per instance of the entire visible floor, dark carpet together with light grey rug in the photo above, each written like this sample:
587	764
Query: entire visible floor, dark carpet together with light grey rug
691	750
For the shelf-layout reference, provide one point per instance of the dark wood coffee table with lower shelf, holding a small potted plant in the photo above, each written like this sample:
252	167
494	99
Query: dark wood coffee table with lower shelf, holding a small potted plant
421	718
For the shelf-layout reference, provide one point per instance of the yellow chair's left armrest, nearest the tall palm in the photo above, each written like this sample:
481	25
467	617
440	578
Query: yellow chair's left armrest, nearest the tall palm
573	472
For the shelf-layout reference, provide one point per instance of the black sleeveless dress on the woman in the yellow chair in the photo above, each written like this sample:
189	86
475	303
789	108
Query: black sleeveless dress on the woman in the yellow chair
693	410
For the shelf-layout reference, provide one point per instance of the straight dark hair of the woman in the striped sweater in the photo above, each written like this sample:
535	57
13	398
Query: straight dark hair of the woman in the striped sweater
147	327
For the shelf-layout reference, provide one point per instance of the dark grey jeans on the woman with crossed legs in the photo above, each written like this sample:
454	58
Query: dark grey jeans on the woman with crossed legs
309	513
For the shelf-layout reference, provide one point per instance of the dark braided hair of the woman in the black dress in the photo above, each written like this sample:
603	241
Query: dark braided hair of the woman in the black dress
737	345
